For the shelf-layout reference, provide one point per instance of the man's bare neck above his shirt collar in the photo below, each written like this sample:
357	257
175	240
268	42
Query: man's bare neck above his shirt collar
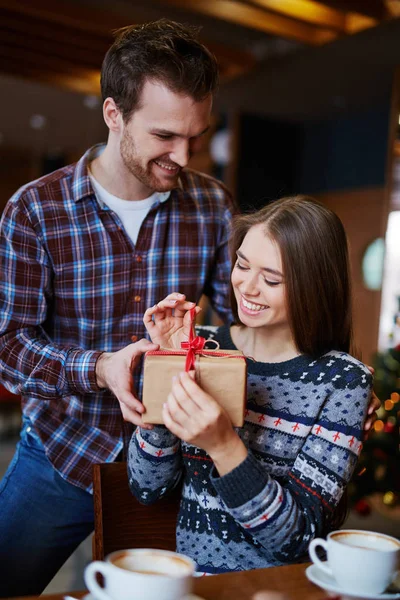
113	176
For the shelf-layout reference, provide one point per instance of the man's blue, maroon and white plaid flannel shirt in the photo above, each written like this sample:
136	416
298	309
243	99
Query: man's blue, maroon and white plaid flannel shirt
72	285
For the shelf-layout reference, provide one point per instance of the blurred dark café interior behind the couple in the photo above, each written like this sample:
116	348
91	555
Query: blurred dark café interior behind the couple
309	103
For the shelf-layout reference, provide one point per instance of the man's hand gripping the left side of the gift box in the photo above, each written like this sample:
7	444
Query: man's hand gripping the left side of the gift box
114	371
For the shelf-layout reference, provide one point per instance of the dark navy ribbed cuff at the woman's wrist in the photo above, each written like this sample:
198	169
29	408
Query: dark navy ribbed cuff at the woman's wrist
241	484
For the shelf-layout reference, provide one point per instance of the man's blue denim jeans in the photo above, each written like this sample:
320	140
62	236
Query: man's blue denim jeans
43	519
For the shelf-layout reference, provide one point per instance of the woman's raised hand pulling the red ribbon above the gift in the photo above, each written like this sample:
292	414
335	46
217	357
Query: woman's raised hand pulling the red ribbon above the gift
168	322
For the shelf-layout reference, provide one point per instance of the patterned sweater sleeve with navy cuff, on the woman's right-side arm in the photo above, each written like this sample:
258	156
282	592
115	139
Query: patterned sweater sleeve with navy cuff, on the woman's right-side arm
283	516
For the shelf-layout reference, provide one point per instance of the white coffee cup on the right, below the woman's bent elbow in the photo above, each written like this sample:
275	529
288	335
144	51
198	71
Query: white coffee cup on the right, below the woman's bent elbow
360	561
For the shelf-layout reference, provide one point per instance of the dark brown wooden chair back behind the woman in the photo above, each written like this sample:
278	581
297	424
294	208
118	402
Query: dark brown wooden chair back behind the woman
121	522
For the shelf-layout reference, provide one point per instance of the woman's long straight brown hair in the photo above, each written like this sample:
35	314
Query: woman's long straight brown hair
314	251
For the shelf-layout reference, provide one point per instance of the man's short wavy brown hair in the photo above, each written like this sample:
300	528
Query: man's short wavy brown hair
163	51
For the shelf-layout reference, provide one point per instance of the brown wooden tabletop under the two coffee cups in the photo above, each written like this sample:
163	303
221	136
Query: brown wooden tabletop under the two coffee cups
290	580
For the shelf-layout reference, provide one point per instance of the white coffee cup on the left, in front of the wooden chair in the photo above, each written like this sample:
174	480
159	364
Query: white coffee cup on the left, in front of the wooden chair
141	574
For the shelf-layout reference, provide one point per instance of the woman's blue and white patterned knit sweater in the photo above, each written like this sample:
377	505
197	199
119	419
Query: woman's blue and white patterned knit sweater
303	429
